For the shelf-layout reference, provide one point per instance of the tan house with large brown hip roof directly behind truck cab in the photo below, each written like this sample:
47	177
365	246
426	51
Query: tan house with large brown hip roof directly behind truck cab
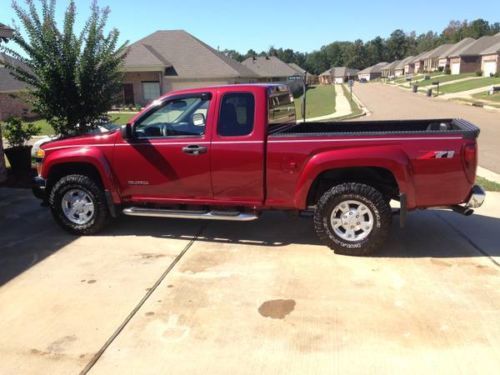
172	60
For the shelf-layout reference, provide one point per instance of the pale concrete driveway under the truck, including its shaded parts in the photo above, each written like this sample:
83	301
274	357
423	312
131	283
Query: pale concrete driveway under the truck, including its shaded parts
152	296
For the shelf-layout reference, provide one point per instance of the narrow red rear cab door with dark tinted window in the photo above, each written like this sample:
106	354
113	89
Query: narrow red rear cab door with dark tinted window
237	153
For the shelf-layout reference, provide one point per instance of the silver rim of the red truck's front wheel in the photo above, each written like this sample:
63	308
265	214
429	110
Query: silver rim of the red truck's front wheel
78	206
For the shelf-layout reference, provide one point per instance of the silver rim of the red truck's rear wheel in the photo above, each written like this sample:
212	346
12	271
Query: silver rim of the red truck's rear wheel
352	220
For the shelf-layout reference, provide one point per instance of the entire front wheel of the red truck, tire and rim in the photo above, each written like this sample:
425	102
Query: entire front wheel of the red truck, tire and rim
78	205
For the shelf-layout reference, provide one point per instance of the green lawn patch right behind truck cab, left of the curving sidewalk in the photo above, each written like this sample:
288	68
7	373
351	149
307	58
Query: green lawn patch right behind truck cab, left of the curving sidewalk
320	101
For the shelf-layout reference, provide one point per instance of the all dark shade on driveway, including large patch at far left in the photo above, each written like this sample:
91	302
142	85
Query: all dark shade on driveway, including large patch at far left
28	233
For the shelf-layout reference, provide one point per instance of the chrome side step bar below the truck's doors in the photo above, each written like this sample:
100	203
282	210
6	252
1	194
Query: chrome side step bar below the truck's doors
185	214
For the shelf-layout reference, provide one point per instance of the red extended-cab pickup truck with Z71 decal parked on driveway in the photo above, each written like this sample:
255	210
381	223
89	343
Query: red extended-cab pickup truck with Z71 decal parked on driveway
231	152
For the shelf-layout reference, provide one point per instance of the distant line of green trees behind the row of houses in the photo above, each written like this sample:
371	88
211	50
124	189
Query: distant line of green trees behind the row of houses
359	54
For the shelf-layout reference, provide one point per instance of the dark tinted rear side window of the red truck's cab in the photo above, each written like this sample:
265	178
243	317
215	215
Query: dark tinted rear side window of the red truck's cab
236	115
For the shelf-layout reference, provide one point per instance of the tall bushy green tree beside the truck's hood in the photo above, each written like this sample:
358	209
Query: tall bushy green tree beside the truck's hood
74	78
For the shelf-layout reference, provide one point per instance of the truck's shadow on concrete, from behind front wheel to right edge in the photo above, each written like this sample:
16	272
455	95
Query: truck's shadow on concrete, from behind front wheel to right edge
427	233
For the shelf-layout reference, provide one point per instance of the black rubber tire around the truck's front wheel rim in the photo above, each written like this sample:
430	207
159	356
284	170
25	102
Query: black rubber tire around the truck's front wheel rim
101	215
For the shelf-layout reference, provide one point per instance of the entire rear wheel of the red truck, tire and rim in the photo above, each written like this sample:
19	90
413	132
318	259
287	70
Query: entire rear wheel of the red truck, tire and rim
353	219
